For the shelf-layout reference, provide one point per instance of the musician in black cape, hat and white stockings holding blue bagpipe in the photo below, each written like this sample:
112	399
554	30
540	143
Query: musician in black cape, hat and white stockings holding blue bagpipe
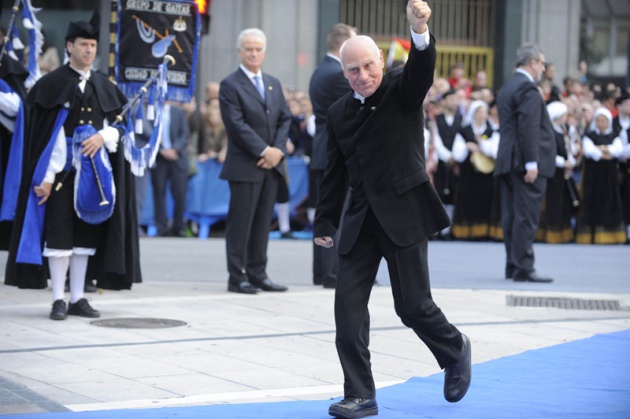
61	104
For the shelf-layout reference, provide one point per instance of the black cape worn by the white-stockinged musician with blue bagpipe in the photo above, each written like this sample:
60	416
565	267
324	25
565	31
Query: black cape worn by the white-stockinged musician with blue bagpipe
116	264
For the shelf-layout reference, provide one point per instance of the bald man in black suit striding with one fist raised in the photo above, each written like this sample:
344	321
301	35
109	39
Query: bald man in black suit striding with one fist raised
376	146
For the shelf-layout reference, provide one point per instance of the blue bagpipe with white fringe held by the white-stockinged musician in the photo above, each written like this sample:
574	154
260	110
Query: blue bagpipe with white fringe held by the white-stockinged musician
96	205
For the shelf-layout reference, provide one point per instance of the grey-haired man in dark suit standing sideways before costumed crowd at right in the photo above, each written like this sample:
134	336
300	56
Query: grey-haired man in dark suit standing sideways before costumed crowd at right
525	160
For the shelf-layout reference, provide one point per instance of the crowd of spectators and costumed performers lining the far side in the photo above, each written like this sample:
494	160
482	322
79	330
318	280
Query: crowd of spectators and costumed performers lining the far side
462	140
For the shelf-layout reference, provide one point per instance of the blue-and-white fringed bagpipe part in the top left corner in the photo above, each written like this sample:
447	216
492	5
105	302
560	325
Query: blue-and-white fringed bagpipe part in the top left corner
12	40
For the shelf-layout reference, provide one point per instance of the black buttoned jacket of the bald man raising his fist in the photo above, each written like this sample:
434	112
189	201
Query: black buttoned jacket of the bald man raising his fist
381	151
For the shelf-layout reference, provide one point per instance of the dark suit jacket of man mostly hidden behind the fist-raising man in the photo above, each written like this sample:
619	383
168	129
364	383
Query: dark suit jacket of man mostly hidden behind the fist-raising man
327	85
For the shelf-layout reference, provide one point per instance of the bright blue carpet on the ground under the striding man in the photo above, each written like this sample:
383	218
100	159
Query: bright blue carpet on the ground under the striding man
583	379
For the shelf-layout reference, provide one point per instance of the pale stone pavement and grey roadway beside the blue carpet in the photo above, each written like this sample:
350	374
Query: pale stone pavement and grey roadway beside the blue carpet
270	347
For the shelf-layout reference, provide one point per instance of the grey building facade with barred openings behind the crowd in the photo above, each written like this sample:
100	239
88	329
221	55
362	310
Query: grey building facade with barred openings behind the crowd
479	33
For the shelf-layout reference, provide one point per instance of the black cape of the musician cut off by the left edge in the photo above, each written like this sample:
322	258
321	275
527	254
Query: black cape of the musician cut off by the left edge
14	74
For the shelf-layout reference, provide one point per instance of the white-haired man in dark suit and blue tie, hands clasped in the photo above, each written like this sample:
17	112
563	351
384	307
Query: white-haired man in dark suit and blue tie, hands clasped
257	121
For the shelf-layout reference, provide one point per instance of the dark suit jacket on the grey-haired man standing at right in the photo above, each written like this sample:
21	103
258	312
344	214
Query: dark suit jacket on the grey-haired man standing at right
526	130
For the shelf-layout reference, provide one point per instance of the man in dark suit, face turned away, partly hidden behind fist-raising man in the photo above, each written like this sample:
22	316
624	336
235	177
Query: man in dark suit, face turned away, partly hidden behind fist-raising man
327	85
